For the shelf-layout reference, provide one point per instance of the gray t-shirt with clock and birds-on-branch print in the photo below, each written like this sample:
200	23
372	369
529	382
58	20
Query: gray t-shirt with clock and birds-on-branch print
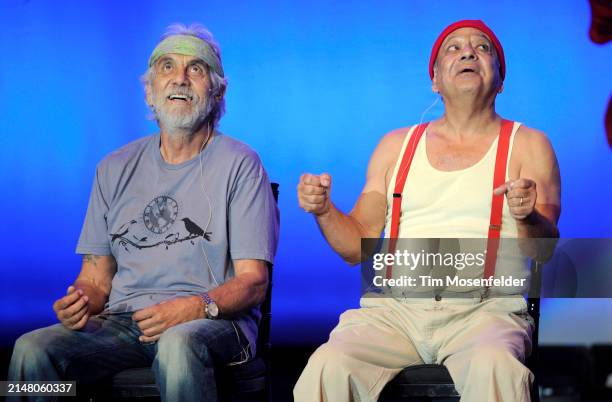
175	229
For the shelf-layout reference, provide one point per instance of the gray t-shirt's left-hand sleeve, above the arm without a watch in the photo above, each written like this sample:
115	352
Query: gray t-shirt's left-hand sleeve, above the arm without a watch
94	234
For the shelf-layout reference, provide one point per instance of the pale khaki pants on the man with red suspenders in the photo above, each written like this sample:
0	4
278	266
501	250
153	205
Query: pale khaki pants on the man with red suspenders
482	343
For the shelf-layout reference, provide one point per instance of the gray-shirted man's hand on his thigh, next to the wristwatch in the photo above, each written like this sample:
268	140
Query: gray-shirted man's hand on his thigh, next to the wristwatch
154	320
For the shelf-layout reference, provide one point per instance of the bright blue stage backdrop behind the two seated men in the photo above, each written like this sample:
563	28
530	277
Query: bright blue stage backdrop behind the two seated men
313	85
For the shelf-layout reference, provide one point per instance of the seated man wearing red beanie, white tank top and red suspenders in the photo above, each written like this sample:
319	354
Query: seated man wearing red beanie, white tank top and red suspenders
469	174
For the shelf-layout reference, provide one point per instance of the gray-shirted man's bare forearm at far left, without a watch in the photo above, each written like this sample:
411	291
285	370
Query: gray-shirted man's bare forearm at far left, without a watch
95	280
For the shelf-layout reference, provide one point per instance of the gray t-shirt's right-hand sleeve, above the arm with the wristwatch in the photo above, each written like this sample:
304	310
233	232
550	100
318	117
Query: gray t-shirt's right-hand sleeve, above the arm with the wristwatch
253	218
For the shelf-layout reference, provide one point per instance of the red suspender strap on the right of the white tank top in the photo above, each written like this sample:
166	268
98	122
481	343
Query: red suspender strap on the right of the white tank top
497	202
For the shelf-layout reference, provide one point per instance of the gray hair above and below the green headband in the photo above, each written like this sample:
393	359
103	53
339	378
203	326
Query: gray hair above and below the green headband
217	82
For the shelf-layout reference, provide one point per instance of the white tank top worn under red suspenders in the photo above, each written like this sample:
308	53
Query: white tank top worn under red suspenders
456	204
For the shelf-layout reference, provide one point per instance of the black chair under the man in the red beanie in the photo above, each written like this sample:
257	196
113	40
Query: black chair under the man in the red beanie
432	382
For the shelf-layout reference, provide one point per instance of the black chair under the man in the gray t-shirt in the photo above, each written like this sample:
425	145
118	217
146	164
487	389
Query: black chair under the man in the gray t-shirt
247	382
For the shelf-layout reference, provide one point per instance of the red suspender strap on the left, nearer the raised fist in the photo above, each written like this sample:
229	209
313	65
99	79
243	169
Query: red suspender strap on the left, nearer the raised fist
400	181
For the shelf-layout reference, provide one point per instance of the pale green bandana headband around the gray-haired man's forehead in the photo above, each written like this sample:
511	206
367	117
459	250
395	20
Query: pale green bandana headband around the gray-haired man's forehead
190	46
